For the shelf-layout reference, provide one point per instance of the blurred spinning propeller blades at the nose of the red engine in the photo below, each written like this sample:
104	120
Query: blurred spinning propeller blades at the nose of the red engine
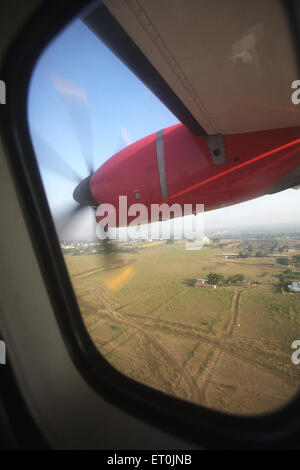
76	105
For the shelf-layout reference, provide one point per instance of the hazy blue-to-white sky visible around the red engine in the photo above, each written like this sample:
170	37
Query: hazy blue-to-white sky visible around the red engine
83	99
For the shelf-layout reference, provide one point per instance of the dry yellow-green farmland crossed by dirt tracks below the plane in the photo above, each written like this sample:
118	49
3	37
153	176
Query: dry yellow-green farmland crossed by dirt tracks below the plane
227	348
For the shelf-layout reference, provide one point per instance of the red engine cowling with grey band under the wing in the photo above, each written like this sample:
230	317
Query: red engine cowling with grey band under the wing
173	166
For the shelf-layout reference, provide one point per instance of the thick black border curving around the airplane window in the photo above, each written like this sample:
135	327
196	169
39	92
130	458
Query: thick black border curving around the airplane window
214	429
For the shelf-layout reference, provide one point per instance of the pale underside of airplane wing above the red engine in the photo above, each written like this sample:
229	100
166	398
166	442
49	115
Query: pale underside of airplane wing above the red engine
221	67
